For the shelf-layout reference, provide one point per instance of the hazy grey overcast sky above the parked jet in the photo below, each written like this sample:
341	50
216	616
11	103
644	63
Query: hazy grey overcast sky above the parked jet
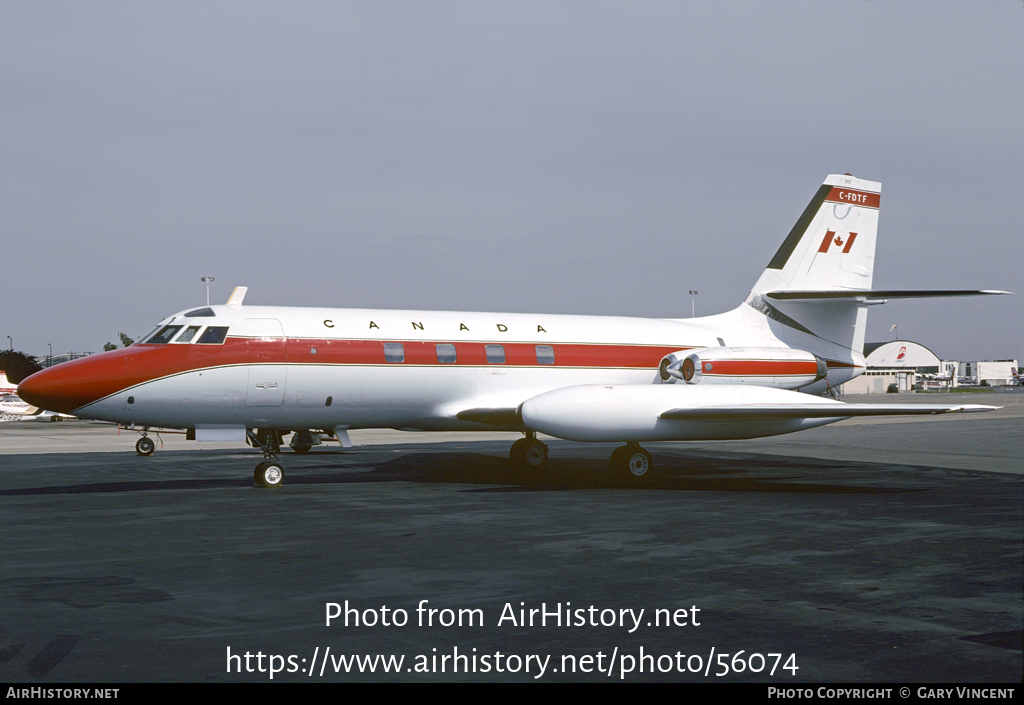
567	157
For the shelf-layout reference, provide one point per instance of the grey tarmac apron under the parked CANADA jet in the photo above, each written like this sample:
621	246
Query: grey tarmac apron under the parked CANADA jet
870	551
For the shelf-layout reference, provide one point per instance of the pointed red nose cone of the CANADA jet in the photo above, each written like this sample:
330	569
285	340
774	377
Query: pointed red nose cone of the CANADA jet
74	385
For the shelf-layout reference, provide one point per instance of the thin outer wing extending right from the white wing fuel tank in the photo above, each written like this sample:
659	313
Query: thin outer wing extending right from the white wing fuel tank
747	411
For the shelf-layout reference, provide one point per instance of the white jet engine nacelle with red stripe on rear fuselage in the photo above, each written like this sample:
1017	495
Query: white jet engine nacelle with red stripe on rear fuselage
783	368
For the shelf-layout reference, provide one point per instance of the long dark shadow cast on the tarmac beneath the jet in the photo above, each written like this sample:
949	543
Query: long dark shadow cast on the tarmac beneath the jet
676	472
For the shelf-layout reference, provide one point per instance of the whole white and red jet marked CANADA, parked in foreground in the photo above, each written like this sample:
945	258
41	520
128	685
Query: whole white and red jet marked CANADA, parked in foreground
232	372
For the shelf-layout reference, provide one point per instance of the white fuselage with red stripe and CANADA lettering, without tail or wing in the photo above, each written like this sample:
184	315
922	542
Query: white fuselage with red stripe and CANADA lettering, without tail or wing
294	368
